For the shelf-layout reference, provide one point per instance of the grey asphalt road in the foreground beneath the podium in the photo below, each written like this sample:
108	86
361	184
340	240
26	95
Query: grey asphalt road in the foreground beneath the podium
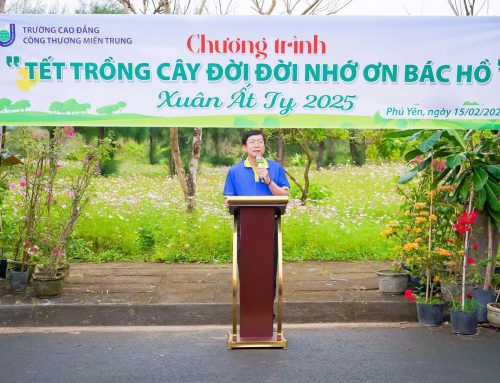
316	353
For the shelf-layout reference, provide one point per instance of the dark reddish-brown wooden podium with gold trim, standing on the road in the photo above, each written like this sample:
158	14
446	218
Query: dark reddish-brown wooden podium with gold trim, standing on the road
257	236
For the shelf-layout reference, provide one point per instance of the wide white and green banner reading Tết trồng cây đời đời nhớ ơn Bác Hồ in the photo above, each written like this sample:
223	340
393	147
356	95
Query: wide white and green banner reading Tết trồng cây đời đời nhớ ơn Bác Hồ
250	71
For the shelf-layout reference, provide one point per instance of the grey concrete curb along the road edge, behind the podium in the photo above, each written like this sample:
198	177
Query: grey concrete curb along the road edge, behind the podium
189	314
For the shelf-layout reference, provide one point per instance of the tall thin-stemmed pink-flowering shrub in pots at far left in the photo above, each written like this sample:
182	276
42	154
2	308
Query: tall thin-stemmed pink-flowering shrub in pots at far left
50	204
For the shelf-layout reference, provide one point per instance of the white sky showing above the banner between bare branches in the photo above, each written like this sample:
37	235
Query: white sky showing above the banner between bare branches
368	7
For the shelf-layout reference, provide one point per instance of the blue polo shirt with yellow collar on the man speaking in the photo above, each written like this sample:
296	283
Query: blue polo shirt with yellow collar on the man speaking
242	180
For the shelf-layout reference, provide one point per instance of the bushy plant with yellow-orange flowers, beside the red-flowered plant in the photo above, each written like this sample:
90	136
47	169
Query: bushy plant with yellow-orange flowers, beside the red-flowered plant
423	232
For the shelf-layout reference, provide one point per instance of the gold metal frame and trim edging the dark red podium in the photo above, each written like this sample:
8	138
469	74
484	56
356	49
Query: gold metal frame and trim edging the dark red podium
277	340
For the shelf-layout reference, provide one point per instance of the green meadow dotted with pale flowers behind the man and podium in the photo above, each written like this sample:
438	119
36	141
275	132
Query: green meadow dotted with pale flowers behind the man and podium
139	215
